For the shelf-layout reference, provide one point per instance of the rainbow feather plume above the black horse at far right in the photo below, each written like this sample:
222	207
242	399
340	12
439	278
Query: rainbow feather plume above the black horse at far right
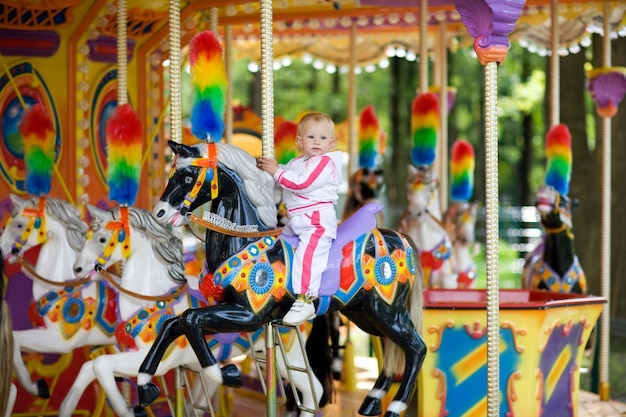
559	156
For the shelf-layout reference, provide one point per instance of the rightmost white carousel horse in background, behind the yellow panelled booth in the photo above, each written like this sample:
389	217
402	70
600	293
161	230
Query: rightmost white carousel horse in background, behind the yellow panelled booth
460	221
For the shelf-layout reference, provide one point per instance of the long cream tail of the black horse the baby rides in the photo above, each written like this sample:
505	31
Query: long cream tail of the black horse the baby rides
394	355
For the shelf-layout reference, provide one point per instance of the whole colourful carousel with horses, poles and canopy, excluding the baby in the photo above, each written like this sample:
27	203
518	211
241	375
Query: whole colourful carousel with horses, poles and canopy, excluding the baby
105	188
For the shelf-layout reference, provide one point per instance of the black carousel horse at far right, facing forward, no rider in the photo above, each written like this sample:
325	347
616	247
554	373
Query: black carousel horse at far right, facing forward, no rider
553	265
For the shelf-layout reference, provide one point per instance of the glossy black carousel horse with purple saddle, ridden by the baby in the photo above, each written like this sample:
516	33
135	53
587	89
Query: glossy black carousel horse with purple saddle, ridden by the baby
373	275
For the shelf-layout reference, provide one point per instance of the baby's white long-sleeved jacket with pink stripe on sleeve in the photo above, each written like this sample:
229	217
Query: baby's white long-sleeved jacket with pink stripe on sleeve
310	184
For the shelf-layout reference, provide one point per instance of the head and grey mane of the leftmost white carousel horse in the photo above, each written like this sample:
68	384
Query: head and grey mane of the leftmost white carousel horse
41	220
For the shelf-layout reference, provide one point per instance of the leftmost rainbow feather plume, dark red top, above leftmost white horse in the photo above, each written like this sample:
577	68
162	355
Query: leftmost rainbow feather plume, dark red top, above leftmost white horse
38	137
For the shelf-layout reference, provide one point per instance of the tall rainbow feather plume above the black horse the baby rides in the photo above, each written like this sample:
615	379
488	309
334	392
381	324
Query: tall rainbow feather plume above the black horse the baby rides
208	78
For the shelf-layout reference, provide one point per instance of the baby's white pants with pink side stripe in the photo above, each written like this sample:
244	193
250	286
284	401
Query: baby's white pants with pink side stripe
316	231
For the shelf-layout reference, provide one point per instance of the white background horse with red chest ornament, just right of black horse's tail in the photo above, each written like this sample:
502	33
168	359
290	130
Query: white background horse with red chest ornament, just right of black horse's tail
422	222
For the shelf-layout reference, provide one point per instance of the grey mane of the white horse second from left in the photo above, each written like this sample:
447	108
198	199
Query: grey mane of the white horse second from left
166	245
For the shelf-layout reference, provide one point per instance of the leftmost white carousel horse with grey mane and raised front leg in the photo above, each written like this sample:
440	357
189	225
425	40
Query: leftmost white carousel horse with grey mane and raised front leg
70	313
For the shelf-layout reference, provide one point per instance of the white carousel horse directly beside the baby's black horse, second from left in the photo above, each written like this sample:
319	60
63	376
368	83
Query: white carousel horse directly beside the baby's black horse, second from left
152	289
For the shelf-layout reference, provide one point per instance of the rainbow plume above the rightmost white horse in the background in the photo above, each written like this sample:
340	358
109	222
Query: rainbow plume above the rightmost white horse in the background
462	171
